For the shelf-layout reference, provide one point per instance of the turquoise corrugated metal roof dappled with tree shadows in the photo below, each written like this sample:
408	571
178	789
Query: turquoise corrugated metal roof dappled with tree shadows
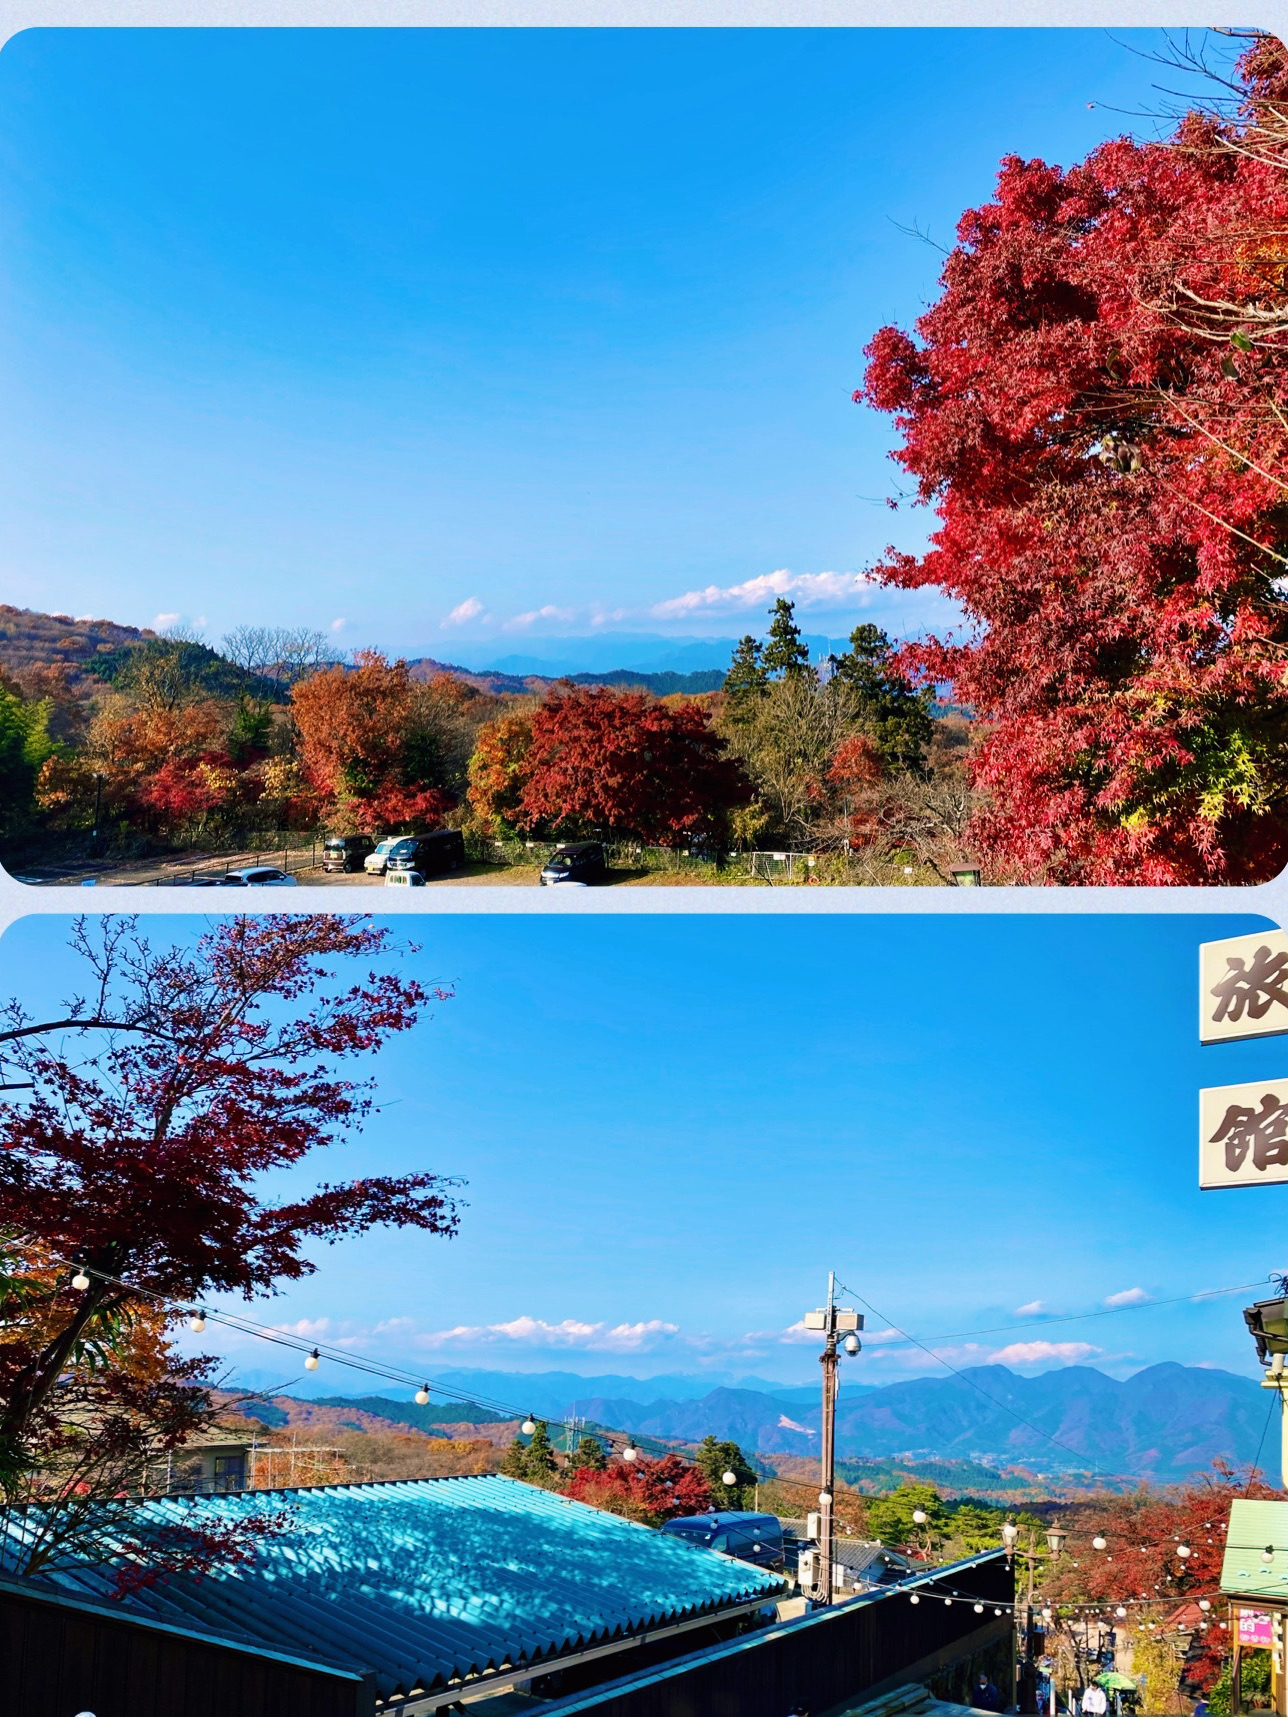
434	1580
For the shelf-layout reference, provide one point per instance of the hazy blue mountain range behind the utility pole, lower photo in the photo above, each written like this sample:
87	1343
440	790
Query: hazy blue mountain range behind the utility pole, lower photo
1167	1423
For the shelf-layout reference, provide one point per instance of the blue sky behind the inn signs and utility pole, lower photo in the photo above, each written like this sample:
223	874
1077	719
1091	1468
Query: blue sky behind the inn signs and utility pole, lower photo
674	1125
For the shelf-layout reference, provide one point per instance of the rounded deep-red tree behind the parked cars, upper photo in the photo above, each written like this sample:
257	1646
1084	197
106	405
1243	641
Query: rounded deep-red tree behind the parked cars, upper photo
623	763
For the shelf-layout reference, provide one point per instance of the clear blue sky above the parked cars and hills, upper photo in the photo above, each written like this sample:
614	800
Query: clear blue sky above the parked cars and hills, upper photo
542	331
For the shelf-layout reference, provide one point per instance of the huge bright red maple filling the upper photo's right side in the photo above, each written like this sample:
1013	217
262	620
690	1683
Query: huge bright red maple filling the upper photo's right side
1114	516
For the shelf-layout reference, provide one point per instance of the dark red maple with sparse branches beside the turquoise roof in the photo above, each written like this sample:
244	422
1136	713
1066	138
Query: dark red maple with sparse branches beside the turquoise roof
140	1132
